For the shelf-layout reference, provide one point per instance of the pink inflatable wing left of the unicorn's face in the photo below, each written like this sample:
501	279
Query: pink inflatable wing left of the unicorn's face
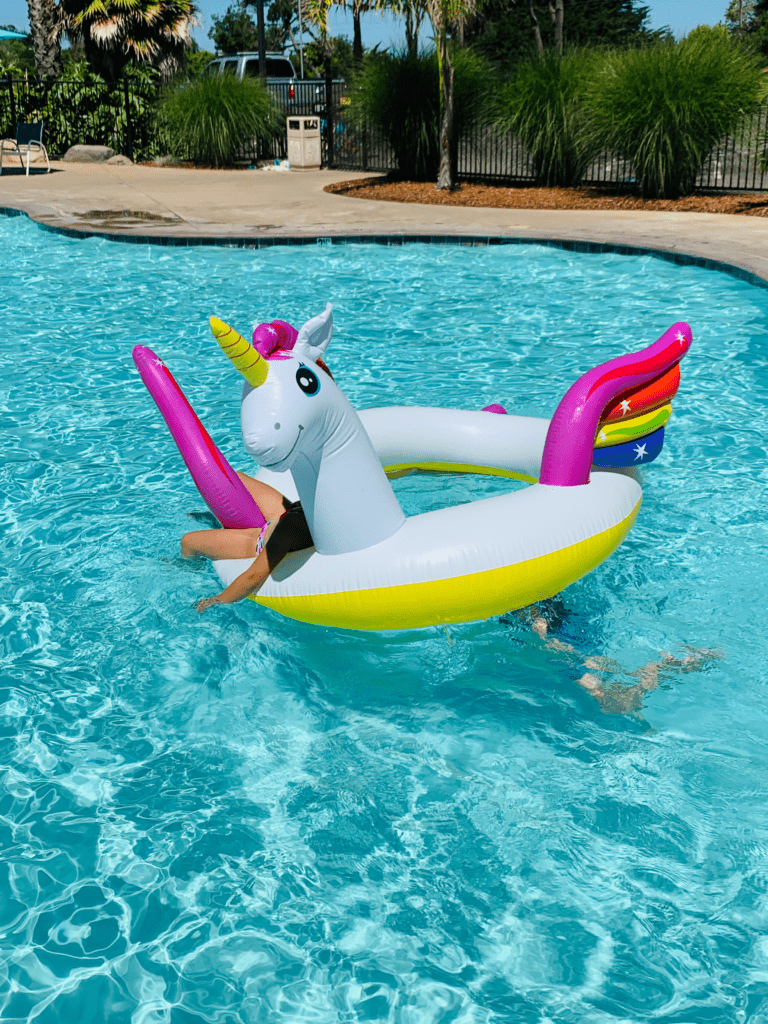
220	486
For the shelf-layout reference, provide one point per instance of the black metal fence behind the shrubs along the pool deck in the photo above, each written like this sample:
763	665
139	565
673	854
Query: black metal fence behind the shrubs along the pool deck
121	115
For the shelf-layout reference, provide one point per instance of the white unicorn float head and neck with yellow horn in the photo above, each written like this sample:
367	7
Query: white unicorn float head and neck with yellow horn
294	417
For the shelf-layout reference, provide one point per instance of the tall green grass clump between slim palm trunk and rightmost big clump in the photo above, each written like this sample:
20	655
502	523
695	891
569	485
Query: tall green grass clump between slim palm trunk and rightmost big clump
543	106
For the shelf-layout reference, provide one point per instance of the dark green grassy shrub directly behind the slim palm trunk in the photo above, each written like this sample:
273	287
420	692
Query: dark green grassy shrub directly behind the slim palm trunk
400	96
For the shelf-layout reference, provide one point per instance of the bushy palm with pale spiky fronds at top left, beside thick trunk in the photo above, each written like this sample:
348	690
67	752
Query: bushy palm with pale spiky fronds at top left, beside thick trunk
117	32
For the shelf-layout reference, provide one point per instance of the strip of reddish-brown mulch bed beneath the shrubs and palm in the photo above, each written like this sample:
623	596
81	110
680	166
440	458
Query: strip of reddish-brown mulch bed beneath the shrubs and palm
522	198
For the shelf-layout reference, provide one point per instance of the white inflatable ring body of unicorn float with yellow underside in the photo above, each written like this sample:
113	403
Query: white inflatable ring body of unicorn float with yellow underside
464	563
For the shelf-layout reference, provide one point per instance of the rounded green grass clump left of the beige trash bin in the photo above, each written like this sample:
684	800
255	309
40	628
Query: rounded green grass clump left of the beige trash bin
208	120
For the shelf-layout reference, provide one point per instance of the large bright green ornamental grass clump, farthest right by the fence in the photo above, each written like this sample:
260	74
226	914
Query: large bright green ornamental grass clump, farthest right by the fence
666	107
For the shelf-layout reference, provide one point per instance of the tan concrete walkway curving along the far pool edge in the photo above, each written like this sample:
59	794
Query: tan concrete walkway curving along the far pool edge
164	201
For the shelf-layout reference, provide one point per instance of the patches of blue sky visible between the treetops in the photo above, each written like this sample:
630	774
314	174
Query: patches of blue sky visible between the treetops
681	16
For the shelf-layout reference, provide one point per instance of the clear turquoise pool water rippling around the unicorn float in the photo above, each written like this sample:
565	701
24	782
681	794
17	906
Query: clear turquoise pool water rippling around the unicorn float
239	819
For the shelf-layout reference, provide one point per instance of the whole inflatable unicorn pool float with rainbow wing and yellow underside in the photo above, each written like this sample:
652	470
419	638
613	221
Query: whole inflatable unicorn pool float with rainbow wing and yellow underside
372	568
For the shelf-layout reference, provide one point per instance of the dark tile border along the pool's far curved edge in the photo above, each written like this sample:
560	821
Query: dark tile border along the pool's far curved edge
569	245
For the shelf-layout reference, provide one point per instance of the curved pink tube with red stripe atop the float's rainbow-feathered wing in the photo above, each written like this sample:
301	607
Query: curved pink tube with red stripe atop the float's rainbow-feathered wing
571	439
